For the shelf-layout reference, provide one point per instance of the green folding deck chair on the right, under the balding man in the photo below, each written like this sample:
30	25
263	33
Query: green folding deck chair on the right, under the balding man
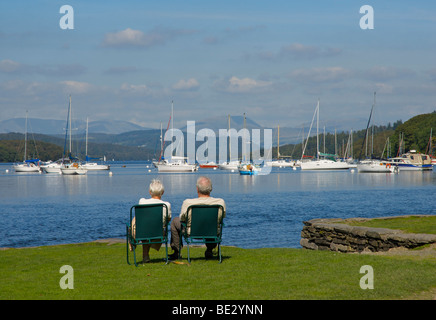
205	227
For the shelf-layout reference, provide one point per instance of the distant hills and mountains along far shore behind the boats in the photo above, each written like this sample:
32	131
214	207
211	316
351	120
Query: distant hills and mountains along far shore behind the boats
144	143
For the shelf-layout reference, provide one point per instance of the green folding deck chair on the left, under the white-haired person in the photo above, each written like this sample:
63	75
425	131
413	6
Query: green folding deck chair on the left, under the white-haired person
150	227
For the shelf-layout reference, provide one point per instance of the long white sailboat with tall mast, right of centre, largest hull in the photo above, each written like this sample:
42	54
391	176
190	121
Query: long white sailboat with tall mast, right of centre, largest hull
320	163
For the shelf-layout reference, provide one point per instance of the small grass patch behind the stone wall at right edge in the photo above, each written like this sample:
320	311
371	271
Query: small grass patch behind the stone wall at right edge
409	224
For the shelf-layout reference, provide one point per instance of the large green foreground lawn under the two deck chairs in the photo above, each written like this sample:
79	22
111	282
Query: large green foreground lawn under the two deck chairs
101	272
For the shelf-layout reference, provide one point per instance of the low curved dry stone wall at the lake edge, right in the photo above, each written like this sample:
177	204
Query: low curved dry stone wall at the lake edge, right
334	235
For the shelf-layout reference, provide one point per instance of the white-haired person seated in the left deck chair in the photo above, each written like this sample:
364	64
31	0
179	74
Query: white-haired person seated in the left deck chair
156	190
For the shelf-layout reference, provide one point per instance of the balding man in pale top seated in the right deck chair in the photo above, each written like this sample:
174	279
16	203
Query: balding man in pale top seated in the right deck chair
204	188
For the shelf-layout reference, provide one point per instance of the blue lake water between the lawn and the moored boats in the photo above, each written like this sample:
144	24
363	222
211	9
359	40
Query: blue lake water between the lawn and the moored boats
262	211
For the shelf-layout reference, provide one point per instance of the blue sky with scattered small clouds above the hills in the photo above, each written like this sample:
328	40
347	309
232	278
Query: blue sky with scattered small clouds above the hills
126	60
